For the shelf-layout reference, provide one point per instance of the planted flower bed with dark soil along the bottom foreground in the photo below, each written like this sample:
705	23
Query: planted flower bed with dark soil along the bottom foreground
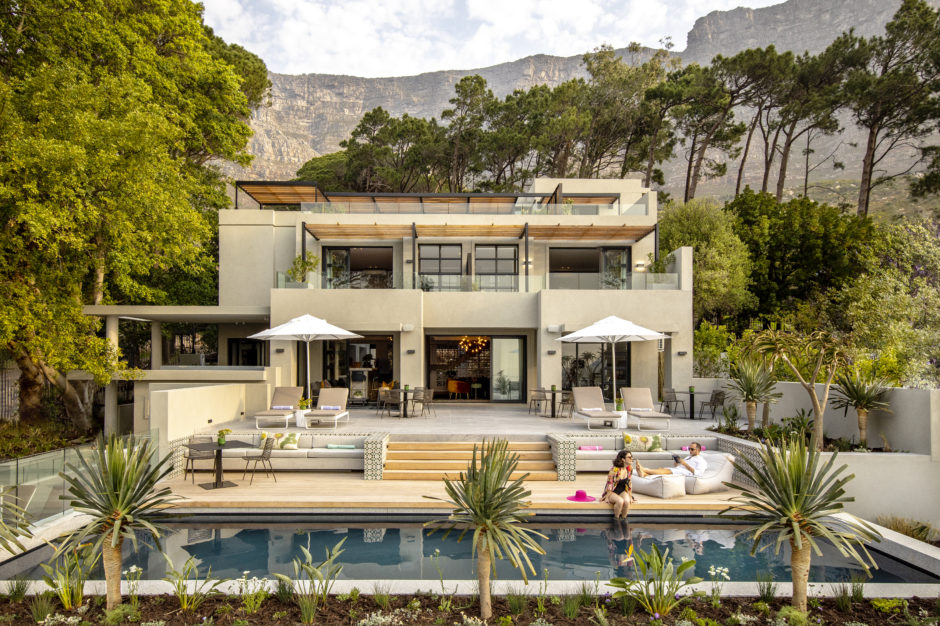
354	609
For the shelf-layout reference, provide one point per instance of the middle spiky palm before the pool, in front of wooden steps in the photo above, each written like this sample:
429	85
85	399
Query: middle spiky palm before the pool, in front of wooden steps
486	501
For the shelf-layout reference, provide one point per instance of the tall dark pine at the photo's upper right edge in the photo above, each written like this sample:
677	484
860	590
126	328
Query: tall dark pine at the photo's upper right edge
893	95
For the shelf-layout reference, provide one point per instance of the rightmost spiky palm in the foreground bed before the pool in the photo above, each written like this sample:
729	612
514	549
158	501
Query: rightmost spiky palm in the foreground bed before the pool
797	498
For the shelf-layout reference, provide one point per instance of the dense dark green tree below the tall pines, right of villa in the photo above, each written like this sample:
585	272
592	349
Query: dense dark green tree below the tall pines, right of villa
799	248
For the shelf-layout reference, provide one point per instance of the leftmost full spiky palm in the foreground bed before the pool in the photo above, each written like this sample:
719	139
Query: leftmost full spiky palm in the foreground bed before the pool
117	487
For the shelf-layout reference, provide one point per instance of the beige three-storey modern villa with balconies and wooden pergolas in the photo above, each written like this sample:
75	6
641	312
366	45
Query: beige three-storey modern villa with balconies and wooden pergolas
465	294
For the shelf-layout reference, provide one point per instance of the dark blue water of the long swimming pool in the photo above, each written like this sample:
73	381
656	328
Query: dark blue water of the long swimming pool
407	551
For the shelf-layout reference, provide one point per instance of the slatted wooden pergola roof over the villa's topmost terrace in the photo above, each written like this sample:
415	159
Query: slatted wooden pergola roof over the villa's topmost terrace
295	192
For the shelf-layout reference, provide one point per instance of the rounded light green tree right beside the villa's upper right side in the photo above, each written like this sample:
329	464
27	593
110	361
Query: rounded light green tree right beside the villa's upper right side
720	261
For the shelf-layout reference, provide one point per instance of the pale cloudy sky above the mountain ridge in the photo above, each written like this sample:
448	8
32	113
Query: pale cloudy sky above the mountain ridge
373	38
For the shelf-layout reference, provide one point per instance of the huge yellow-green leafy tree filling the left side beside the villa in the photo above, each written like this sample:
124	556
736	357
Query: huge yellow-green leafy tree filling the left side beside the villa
109	117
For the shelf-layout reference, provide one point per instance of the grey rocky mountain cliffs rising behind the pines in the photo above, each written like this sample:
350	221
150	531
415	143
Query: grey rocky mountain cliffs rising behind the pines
310	114
